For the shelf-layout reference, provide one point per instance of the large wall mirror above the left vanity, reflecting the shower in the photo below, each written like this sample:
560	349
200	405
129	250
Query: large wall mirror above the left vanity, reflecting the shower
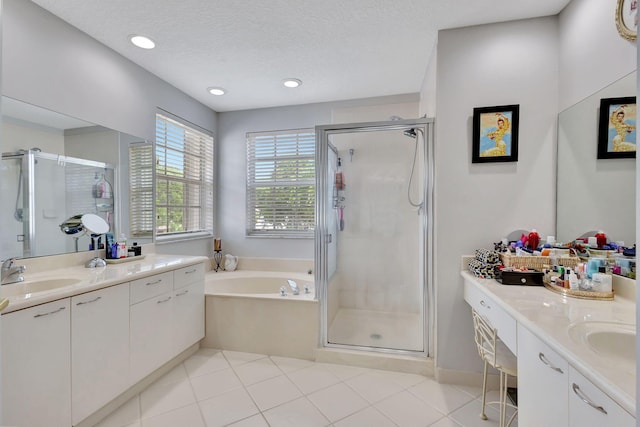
54	168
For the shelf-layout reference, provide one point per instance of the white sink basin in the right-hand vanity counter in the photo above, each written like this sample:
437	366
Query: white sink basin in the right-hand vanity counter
615	342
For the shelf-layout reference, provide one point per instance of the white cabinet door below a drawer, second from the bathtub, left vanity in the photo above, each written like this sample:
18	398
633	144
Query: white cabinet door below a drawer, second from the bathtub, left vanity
151	335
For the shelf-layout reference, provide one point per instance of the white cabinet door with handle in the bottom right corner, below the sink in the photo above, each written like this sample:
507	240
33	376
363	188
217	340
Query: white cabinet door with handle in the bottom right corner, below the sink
590	407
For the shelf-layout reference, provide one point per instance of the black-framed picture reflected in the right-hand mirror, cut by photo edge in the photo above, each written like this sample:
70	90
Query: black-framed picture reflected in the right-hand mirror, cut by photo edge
617	128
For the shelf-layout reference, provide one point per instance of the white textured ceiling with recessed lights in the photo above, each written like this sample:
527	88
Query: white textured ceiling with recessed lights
344	49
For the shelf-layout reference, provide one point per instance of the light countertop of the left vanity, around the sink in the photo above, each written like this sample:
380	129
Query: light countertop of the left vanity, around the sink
91	279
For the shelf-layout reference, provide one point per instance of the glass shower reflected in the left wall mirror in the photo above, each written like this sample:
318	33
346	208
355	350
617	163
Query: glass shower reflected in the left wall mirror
47	189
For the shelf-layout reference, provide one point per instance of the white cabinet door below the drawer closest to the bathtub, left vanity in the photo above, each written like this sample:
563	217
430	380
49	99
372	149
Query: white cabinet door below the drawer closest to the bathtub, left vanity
188	316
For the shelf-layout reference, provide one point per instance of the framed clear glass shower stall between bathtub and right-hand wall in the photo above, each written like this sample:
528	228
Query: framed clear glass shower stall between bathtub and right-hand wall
373	235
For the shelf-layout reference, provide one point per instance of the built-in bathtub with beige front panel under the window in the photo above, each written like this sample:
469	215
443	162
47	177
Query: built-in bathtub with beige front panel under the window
245	312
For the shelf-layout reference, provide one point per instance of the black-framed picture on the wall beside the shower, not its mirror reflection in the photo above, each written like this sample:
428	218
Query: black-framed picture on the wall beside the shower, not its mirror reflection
495	134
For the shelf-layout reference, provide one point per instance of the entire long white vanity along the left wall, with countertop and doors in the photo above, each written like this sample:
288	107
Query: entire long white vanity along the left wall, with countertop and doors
76	339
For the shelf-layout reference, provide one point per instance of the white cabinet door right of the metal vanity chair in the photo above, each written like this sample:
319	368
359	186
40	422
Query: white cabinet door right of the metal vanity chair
542	383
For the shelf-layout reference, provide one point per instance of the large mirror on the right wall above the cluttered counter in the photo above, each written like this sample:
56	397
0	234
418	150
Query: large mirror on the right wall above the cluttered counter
592	193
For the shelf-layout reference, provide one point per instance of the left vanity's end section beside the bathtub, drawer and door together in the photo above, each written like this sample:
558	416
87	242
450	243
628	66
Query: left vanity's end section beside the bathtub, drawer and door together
188	307
